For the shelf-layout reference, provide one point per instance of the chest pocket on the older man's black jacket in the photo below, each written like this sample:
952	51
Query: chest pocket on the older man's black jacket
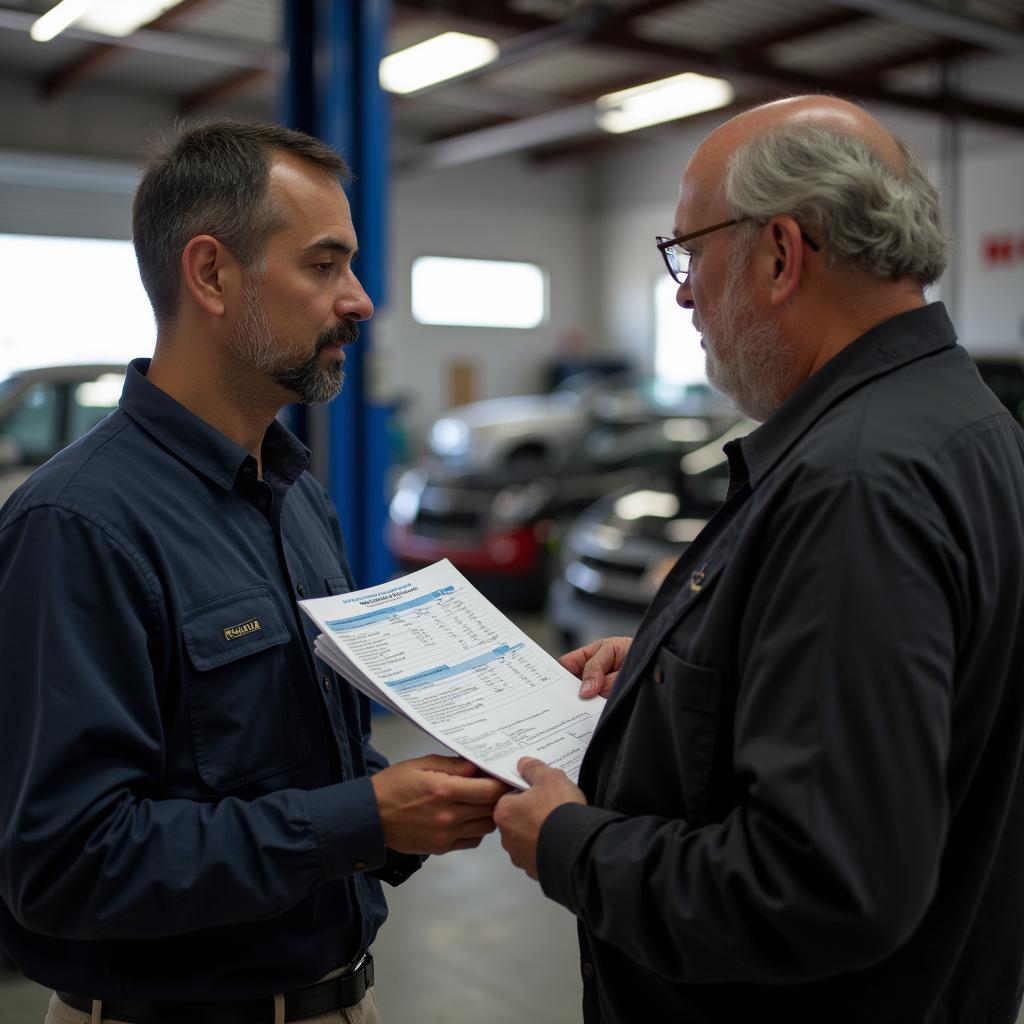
665	761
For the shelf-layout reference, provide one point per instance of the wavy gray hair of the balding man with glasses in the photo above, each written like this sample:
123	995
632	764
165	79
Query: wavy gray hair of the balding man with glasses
884	221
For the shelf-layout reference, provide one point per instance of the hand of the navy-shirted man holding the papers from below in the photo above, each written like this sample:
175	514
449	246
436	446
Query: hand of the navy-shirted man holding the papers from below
436	804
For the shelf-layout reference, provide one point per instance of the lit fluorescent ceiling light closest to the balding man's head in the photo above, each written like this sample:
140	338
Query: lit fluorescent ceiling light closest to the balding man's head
679	97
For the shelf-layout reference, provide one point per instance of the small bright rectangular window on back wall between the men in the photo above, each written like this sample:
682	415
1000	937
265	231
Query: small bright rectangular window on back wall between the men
479	293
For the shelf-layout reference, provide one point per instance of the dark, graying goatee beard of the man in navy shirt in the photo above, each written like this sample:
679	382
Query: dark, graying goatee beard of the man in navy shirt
254	345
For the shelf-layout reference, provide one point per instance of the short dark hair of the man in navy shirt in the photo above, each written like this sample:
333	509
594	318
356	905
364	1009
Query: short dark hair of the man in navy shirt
211	178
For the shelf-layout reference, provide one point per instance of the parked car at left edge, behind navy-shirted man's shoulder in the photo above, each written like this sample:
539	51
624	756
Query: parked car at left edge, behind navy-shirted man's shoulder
45	410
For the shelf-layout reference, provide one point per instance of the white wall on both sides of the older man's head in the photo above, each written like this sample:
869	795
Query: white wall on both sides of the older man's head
637	194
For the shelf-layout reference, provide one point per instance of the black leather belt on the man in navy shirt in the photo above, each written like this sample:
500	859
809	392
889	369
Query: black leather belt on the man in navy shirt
336	994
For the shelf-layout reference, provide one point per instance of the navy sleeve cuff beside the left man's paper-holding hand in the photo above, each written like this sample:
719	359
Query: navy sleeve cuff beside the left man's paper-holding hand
348	827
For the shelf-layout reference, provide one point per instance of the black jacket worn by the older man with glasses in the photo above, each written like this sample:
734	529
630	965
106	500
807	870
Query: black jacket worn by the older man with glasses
807	788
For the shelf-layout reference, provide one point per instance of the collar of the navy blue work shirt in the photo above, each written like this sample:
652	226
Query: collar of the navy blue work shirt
198	444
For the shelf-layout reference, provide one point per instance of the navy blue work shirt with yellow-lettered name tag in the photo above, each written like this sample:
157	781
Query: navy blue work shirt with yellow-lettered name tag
186	809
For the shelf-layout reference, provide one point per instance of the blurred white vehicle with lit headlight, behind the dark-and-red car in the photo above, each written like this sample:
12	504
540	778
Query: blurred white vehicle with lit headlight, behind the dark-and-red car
543	431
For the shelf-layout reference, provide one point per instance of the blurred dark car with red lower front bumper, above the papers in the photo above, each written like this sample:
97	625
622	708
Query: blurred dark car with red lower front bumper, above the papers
503	529
